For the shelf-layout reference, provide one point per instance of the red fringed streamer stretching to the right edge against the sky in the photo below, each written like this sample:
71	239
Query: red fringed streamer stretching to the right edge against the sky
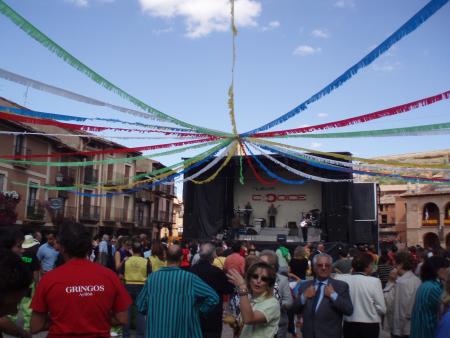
360	119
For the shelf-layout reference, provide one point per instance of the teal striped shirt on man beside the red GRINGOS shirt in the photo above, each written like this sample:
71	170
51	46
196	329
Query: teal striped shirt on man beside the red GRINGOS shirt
172	299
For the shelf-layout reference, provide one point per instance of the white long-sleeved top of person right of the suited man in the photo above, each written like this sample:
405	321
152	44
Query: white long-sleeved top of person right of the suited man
367	298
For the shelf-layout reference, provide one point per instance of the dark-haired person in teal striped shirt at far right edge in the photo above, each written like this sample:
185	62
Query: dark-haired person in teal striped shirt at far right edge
426	308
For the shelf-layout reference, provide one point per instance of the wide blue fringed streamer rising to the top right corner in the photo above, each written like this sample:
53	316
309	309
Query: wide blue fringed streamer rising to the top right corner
420	17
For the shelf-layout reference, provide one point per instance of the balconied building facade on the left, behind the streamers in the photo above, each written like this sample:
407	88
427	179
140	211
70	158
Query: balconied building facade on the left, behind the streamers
123	212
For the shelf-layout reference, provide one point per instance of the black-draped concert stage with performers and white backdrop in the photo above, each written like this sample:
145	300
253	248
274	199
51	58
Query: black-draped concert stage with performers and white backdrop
209	208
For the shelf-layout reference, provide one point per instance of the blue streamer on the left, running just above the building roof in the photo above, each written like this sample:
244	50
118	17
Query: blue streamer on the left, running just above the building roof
61	117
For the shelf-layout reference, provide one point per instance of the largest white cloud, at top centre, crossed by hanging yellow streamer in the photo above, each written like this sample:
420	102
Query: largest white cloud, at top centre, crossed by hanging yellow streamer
204	16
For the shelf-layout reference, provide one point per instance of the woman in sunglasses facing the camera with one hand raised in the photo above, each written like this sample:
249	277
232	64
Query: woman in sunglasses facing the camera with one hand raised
260	311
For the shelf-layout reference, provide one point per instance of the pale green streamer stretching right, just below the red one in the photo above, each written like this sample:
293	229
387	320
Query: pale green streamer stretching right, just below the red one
407	131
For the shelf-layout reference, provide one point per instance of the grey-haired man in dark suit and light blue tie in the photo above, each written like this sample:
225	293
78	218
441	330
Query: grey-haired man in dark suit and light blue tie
323	301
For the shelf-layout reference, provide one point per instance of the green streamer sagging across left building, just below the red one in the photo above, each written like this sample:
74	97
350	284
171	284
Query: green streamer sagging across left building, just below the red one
107	161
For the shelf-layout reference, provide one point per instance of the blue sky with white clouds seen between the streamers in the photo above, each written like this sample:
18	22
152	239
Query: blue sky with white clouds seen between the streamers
175	55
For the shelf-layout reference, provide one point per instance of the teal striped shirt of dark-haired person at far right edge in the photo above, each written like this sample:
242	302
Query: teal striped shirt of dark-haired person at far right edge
426	308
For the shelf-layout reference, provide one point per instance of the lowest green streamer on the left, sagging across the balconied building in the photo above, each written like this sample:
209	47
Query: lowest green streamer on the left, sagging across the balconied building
152	173
